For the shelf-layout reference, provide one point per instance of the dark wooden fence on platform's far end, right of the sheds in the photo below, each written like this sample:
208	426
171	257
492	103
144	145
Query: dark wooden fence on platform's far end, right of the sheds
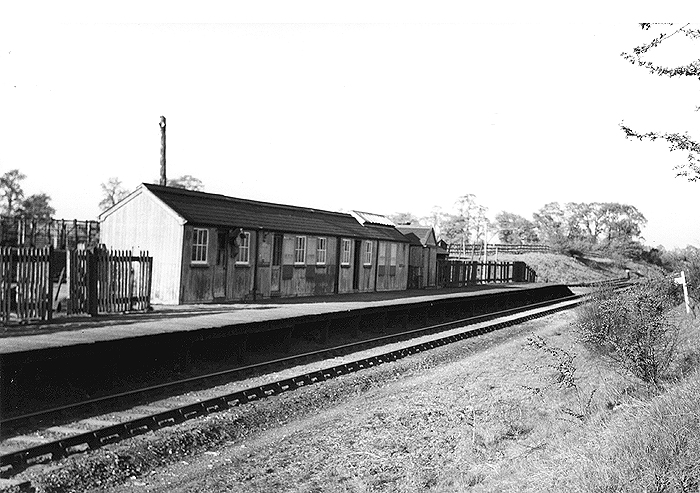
455	273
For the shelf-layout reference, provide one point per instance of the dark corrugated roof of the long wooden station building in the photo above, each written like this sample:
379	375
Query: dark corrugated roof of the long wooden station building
221	210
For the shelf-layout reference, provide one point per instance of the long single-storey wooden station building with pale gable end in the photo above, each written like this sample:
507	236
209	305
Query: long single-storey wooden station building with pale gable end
215	248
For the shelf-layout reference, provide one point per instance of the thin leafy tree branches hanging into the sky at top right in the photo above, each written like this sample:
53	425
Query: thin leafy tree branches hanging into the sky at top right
677	141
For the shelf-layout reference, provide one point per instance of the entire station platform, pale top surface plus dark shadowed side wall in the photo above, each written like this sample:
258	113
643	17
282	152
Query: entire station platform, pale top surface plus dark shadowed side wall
95	356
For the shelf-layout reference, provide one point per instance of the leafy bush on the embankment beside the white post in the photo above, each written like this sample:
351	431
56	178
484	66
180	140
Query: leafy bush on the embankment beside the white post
631	327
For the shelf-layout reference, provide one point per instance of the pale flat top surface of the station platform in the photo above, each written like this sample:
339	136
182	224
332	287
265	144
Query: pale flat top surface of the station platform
188	318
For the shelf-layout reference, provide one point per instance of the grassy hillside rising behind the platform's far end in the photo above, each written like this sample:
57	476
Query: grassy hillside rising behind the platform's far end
553	267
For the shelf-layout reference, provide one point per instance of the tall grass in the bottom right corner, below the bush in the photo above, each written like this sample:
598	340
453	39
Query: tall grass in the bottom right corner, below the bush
652	447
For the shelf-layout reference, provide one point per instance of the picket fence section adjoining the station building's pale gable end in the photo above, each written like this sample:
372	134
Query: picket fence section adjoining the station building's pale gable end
108	281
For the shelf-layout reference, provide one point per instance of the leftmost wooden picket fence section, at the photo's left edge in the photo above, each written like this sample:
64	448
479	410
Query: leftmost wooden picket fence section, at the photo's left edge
26	287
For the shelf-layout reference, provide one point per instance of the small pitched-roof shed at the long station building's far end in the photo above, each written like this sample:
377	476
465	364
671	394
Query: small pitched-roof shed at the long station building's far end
422	256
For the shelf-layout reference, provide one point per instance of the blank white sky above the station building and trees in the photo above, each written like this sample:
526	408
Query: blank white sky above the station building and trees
381	109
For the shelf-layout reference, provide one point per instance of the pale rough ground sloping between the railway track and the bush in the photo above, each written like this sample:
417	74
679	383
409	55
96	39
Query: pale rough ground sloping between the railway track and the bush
476	419
